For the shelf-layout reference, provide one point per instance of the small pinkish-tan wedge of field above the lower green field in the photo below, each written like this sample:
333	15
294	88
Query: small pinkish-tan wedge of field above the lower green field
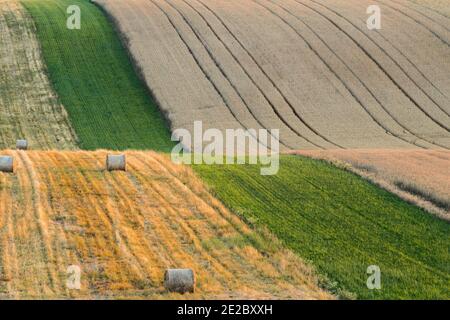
419	176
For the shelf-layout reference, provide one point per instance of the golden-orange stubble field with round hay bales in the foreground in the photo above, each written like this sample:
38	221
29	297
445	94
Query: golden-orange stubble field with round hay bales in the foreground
125	228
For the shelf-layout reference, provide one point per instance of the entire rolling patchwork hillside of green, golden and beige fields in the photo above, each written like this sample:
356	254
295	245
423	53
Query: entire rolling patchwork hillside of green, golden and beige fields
310	68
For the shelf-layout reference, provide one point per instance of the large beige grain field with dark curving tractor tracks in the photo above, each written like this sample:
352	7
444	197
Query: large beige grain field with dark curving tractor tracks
310	68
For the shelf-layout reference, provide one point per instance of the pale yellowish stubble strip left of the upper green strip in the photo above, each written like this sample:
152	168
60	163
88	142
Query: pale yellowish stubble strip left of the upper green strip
29	108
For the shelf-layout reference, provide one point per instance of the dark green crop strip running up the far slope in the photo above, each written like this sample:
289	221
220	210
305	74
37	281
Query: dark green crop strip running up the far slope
108	104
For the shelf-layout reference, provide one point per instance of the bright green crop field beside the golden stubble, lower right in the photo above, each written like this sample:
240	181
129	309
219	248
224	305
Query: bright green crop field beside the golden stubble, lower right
342	224
